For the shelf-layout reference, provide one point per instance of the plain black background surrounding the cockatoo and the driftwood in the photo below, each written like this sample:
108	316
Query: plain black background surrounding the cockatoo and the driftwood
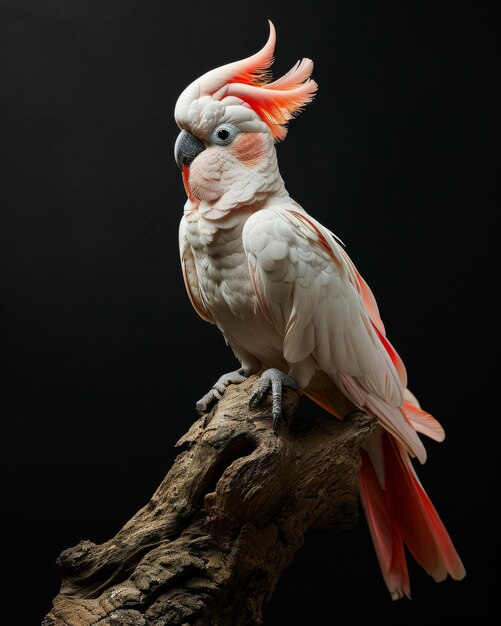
105	357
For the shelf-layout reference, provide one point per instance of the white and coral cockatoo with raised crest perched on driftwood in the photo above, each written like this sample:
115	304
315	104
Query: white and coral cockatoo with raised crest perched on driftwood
290	302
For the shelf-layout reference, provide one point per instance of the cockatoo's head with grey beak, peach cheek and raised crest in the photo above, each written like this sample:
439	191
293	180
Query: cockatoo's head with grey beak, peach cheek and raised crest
230	119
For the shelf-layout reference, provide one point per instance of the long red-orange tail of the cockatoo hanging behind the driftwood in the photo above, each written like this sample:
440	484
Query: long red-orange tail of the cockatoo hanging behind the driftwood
399	512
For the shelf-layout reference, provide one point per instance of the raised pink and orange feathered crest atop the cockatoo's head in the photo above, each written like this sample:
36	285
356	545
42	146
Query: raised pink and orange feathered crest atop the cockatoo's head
276	102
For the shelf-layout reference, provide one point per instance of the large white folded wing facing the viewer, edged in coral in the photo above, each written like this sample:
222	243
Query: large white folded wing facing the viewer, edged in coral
309	289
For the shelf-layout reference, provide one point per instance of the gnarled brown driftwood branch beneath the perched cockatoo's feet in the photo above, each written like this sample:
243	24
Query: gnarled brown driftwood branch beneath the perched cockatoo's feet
227	519
